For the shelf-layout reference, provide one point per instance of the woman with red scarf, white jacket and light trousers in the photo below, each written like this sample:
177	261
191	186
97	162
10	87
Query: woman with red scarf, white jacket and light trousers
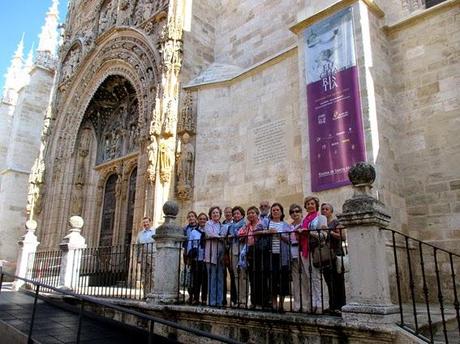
311	234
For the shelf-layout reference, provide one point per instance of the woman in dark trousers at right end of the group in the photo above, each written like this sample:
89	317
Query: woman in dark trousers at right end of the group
332	274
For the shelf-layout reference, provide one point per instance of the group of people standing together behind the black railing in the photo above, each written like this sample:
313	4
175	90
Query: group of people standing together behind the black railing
266	257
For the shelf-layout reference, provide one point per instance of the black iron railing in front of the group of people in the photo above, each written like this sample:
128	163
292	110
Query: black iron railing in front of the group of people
266	271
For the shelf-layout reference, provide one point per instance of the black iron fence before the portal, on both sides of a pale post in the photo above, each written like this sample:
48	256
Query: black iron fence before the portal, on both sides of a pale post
124	271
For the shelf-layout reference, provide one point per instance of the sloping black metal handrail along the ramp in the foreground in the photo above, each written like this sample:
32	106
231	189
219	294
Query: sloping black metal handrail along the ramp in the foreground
84	300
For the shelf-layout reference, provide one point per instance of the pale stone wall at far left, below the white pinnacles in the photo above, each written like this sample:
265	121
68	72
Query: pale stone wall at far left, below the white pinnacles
23	149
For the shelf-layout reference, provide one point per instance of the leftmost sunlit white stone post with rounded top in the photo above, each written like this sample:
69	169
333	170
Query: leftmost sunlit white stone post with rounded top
27	248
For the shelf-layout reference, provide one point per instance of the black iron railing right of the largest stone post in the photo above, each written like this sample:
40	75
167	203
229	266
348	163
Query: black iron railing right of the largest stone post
427	283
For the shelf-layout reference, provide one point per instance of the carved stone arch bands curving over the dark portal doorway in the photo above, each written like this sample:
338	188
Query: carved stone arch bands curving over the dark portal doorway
130	57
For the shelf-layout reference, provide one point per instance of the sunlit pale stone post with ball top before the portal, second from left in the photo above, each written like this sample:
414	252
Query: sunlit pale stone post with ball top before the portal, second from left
71	247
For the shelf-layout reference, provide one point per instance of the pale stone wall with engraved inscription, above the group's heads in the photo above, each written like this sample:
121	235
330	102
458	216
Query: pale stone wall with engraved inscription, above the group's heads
233	166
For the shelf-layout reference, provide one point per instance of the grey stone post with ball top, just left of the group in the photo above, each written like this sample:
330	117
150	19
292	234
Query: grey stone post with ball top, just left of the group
168	239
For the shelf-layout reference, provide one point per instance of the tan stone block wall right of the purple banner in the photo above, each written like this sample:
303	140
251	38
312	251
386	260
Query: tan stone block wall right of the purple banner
425	67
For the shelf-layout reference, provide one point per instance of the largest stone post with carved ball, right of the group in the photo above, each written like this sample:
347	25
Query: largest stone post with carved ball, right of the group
365	217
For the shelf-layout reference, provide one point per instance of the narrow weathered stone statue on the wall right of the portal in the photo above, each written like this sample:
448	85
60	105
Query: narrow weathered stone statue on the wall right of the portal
185	168
